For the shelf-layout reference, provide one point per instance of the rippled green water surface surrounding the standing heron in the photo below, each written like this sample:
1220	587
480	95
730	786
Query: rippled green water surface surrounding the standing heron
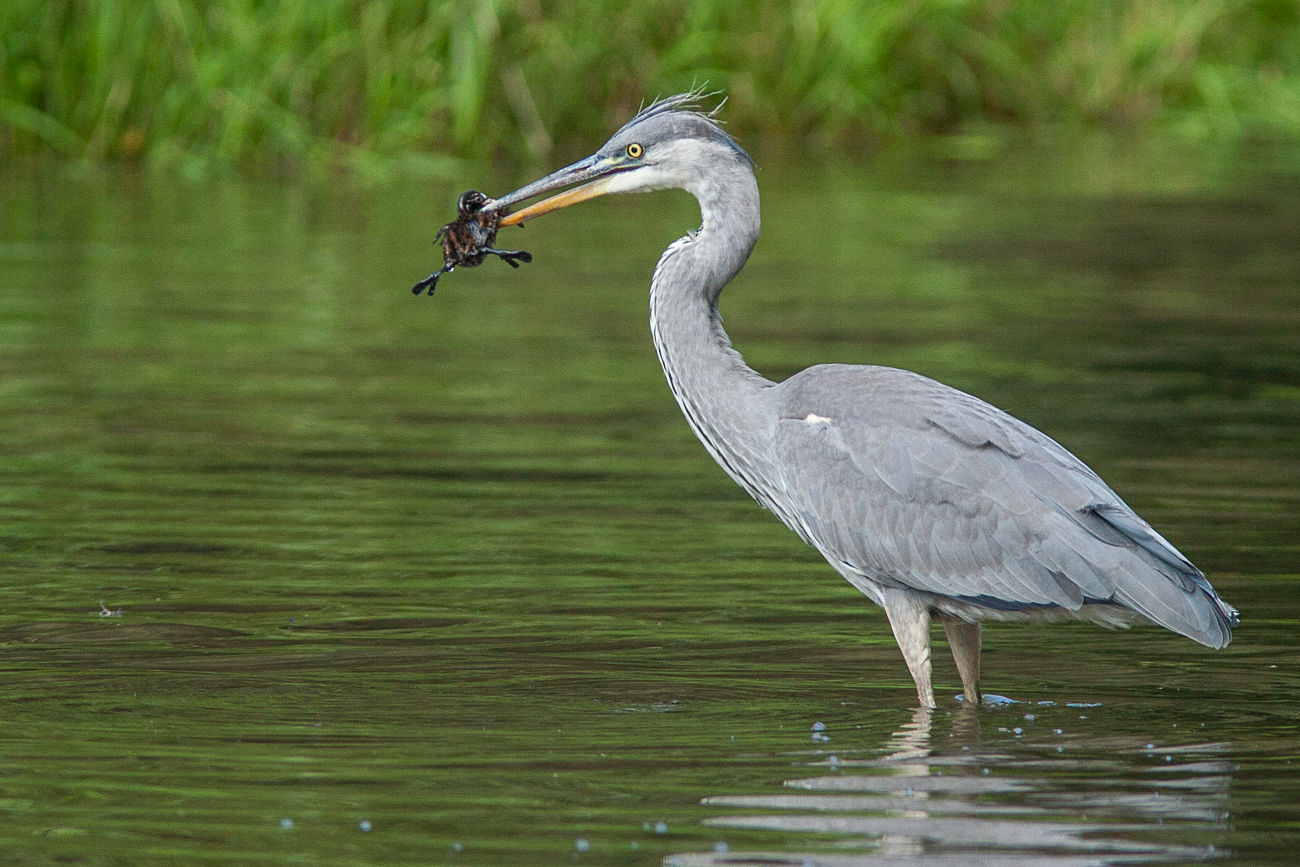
297	569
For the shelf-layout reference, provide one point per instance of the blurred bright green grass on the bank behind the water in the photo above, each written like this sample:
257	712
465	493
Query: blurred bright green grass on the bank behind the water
288	85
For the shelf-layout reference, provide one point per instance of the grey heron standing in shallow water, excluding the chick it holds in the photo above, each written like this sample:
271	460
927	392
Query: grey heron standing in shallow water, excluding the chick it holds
931	502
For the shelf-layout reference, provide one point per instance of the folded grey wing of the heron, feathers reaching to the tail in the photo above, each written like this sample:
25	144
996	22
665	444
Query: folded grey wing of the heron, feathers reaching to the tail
912	484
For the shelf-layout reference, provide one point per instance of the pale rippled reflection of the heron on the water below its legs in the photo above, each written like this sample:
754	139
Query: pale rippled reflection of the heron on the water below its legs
1048	801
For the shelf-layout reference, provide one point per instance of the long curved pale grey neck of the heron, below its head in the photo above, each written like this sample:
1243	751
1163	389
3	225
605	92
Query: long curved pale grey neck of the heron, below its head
721	396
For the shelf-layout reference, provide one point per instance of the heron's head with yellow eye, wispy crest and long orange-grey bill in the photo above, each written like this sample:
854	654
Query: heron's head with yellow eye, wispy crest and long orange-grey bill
669	145
